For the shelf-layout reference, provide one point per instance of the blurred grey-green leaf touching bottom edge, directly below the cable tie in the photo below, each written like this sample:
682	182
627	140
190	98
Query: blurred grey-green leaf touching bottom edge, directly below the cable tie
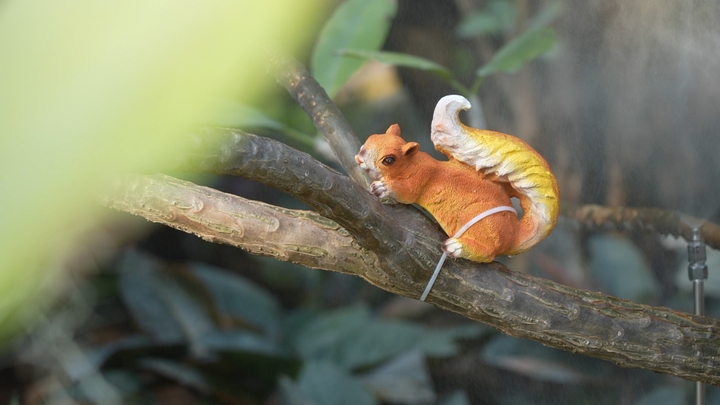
404	380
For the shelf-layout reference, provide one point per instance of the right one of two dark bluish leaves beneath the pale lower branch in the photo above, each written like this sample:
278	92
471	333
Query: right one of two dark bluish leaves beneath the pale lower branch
236	296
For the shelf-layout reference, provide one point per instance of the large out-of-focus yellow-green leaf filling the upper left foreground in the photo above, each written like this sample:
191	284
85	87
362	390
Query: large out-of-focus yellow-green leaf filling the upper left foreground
90	89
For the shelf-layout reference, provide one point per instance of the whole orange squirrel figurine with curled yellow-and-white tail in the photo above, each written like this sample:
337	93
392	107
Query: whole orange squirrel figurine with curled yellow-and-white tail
485	170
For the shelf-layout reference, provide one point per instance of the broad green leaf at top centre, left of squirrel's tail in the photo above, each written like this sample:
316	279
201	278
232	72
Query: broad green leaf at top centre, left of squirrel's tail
355	24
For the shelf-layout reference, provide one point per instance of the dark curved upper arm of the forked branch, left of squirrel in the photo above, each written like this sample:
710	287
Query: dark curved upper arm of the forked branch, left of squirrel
376	227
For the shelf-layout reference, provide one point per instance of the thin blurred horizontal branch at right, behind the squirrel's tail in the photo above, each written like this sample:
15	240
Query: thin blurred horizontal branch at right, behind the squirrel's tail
595	217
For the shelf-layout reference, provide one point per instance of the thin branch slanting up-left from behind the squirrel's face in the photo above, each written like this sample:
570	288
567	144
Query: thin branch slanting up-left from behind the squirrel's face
322	111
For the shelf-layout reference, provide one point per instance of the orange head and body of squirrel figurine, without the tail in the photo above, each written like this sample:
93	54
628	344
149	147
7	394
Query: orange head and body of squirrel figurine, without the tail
451	191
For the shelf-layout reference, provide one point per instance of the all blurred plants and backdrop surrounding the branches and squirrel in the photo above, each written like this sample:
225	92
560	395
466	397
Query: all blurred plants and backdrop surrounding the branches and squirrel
98	307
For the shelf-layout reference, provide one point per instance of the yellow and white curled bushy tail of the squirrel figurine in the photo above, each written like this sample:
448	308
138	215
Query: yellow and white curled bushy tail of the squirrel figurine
504	158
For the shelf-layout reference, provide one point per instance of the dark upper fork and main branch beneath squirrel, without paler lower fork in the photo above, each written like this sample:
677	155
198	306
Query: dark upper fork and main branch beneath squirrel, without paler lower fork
626	333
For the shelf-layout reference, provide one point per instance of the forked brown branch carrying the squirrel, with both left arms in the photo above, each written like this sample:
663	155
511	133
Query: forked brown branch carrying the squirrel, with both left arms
394	256
